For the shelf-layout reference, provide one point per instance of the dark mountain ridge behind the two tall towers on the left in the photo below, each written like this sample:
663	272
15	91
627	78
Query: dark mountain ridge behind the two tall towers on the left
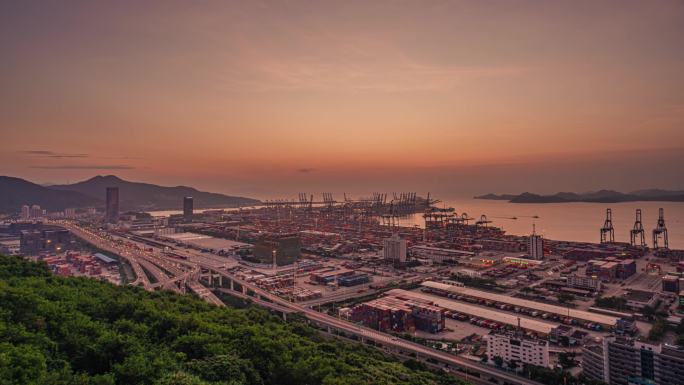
16	192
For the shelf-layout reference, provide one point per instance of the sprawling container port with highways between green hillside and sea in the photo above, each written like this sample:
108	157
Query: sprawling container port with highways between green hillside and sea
458	283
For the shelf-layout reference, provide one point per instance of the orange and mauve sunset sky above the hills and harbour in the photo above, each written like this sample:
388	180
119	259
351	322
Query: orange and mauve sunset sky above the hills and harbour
267	98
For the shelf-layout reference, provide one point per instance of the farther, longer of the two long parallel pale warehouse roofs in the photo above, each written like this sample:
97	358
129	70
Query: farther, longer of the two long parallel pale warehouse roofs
546	308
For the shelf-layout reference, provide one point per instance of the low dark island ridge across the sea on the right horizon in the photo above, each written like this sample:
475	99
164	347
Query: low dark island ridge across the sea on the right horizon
602	196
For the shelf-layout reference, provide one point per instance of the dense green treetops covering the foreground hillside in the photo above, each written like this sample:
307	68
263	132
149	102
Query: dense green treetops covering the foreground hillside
57	330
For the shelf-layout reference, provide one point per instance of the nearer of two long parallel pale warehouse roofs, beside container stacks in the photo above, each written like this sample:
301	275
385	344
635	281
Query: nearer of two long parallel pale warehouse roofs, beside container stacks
479	311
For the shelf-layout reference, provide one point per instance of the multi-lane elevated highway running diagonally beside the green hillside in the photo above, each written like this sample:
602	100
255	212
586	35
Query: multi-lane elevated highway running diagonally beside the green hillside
272	301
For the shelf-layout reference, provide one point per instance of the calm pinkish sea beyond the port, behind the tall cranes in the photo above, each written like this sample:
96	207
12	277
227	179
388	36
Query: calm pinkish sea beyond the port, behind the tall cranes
562	221
